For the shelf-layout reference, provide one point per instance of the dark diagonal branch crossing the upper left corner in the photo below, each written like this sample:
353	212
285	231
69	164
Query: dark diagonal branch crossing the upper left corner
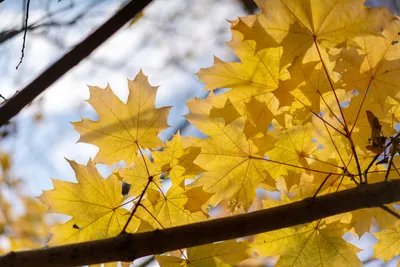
69	60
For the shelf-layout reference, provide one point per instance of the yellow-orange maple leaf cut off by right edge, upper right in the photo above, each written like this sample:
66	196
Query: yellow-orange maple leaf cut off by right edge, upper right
372	69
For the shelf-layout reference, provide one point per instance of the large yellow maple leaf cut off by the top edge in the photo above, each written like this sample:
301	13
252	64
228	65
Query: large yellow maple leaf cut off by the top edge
306	28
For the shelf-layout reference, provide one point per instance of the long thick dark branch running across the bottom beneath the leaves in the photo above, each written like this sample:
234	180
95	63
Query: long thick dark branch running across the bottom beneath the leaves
128	247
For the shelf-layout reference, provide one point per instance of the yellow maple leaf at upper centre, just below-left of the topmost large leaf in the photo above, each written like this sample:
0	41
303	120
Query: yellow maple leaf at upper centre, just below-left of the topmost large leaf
257	75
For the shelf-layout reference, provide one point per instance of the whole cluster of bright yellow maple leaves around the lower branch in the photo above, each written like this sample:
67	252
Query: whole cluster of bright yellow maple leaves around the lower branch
295	119
